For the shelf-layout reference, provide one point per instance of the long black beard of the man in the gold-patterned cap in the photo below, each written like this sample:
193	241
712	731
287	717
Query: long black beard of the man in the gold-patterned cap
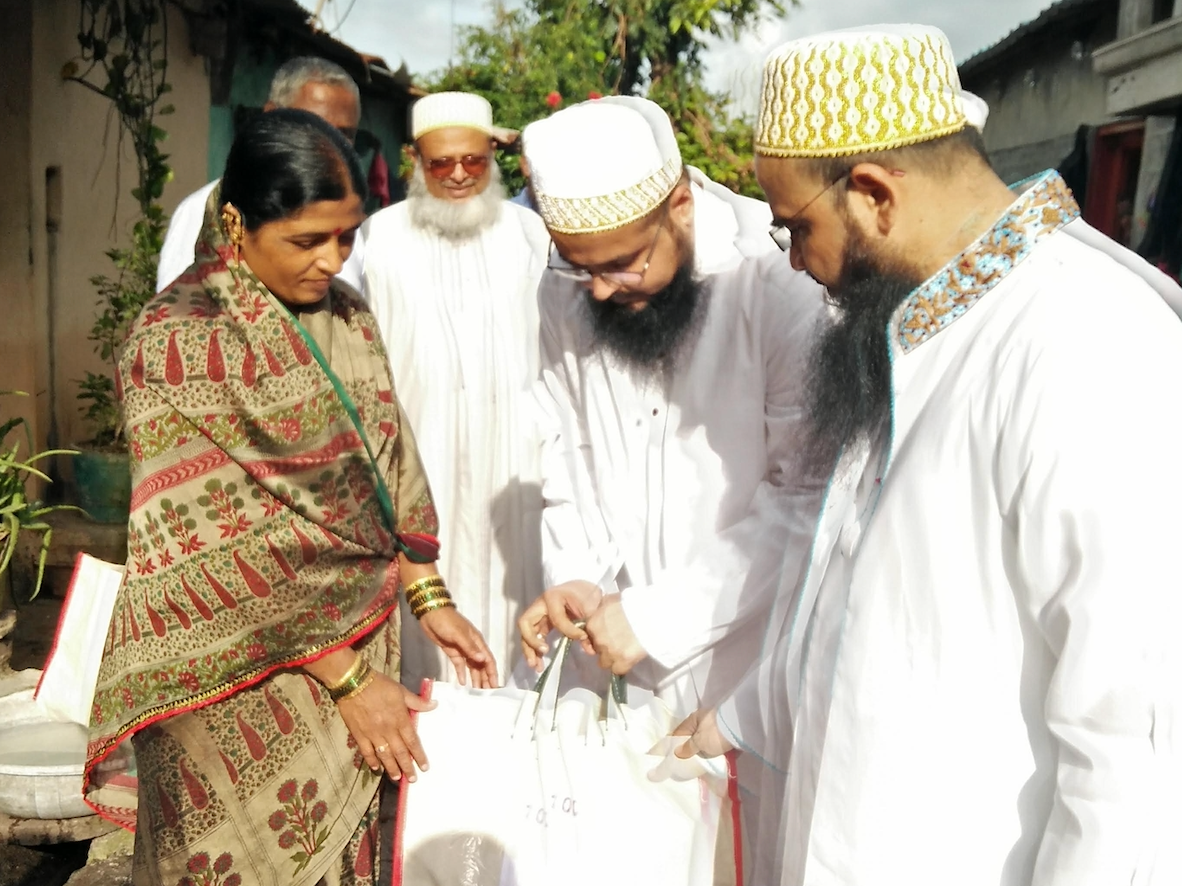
849	381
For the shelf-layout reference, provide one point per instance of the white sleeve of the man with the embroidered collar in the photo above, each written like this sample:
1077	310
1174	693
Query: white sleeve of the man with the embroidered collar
1096	550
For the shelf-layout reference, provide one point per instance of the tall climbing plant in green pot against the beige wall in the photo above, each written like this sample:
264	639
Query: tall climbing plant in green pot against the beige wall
124	58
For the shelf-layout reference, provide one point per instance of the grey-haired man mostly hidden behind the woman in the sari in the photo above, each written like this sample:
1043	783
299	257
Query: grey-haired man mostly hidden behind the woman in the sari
308	84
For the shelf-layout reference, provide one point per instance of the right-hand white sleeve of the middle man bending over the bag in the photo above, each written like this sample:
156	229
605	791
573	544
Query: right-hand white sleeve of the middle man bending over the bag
735	578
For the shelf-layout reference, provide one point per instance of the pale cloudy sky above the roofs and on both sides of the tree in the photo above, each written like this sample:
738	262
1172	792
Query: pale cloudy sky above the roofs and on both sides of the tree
419	32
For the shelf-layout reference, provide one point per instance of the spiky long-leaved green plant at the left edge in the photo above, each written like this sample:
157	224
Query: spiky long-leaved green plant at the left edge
18	513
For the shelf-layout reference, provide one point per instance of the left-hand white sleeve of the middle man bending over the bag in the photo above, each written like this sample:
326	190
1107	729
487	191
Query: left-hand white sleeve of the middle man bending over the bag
576	544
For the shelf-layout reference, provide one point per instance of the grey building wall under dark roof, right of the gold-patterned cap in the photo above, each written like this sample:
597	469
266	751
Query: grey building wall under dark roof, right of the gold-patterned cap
1040	93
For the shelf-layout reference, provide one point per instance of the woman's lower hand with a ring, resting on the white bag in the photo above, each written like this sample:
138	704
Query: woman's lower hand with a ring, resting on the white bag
379	719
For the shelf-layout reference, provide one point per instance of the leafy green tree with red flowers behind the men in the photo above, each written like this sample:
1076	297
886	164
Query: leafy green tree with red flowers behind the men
534	60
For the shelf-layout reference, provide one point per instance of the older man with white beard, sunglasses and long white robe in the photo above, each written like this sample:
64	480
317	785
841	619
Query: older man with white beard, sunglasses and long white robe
453	283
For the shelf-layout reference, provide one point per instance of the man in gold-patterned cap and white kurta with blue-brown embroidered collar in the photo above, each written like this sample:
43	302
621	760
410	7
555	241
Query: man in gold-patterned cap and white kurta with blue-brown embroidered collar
979	682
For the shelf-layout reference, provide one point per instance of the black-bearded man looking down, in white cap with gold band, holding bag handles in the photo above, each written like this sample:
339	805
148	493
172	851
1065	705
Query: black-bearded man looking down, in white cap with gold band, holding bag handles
672	491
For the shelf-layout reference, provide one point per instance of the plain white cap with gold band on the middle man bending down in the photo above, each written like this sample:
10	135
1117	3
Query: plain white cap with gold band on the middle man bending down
602	165
